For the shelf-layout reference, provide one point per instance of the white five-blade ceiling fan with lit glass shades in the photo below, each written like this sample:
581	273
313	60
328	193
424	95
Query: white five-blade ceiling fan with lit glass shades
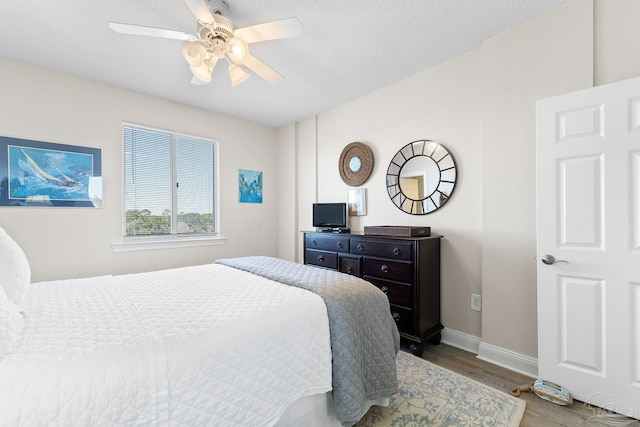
218	38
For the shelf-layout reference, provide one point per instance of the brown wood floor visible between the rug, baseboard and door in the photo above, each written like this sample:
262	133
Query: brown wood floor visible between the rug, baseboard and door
538	413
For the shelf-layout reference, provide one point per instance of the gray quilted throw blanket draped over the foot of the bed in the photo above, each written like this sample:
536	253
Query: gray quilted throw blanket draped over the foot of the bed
364	336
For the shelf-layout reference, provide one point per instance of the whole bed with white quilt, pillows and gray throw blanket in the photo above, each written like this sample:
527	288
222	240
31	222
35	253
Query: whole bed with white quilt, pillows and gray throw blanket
252	341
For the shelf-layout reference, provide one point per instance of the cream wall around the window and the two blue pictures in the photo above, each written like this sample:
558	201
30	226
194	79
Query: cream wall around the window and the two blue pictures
43	105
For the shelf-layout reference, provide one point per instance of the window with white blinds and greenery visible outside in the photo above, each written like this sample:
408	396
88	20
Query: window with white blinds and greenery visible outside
169	184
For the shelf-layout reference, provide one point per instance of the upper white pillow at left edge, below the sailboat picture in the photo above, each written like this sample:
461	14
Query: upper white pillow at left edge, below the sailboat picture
15	274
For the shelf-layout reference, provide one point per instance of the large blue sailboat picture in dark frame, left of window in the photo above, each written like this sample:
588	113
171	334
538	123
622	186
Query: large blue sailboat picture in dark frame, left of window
37	173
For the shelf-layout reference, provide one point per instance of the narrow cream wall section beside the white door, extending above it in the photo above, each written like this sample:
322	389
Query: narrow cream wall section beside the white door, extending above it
546	56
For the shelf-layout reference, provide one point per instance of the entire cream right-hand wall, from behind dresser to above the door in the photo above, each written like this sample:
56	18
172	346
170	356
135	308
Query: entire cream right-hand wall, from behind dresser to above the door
481	105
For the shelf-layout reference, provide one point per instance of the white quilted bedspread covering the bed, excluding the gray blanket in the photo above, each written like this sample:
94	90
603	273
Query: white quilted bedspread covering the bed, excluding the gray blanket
205	345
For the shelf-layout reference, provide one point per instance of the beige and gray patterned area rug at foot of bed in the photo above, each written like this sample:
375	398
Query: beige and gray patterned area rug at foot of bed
433	396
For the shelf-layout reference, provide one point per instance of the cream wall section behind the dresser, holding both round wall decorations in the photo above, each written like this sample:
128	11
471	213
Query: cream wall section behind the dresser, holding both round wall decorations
442	103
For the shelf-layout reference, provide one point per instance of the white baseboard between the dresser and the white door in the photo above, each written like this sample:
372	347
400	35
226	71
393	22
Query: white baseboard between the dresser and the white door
498	356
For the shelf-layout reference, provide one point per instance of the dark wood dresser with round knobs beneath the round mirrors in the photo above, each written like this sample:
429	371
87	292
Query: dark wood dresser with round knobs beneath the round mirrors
406	269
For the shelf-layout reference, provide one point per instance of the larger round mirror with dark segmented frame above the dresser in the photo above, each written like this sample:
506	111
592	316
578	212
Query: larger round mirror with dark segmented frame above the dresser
421	177
